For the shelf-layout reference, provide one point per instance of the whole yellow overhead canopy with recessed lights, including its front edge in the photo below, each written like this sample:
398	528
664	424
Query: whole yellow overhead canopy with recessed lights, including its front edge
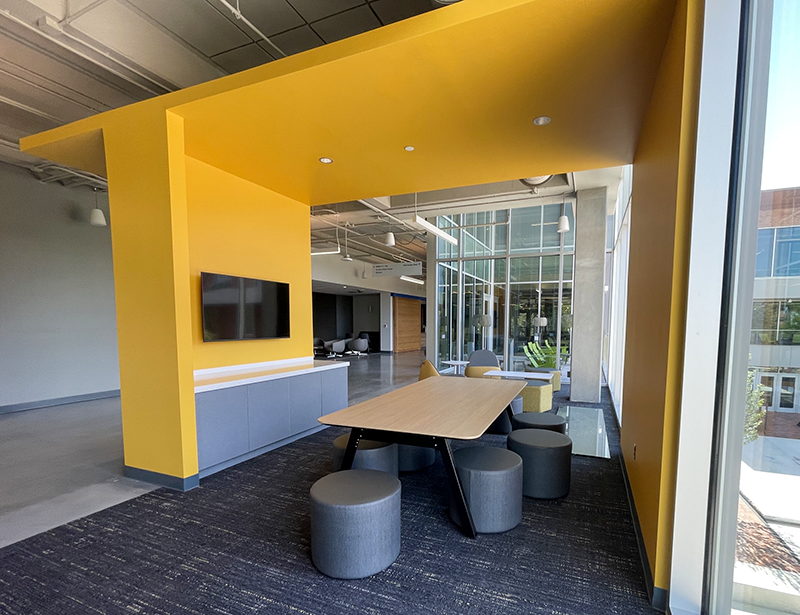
461	84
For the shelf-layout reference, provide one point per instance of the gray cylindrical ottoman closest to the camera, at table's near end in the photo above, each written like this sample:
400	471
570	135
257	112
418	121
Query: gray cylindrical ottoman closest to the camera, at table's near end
355	523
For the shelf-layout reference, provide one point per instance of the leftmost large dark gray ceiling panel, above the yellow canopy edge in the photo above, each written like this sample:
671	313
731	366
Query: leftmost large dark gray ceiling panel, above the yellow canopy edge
196	22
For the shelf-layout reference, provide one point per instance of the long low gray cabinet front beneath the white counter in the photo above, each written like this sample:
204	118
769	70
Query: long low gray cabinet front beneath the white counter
241	421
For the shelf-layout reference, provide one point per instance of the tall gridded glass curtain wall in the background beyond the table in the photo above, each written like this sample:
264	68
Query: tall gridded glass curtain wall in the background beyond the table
509	281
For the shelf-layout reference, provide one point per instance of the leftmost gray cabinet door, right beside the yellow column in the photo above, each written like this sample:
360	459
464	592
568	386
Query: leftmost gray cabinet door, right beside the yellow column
221	425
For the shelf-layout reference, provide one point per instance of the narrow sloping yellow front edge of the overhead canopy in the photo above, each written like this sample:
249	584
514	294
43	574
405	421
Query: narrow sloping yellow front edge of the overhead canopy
61	144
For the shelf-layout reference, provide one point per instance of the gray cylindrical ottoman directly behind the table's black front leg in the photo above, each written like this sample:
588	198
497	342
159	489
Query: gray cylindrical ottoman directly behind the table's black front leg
491	478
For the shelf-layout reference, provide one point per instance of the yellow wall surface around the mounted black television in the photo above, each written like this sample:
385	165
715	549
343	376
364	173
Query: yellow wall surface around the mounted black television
239	228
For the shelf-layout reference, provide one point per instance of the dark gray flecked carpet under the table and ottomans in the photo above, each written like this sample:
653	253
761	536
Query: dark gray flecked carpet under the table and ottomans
240	544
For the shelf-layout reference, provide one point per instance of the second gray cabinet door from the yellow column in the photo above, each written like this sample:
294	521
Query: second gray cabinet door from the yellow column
270	416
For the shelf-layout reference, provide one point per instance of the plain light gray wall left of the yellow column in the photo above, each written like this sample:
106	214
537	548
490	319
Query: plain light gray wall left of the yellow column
57	321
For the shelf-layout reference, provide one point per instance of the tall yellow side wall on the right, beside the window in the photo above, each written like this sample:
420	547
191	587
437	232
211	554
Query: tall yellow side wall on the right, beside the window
661	206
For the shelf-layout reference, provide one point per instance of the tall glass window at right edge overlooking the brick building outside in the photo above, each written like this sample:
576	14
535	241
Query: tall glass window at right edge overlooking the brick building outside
755	542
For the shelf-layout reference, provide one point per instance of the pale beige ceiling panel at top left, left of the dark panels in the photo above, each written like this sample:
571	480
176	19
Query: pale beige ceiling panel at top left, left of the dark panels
129	34
